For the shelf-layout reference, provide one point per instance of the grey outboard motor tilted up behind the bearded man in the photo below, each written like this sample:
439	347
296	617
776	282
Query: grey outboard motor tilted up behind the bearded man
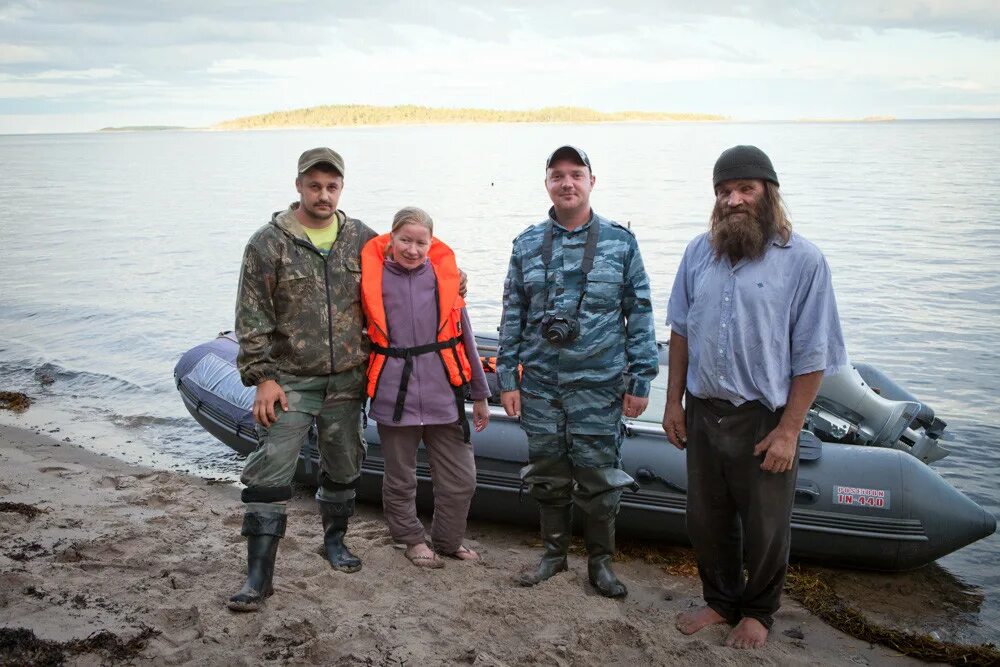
848	410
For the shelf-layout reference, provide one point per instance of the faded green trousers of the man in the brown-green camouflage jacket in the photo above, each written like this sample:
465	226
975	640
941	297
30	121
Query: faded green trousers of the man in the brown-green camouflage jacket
334	403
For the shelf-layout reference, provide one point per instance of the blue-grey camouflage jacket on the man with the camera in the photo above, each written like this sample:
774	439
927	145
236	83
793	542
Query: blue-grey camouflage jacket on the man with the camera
617	333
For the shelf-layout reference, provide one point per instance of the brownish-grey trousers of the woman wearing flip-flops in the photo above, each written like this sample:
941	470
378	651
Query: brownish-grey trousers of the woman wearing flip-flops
453	474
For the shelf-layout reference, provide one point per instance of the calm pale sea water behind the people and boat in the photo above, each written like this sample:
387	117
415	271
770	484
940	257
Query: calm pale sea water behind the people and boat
118	252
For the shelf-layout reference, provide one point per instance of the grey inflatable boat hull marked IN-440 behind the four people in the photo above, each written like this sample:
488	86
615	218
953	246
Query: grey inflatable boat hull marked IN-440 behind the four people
861	507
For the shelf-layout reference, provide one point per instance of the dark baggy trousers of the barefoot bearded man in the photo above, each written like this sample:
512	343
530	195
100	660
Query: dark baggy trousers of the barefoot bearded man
734	506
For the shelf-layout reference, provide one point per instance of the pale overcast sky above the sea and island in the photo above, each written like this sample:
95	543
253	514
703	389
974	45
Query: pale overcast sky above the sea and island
82	65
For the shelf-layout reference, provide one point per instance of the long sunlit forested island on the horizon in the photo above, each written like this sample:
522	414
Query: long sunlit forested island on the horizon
362	114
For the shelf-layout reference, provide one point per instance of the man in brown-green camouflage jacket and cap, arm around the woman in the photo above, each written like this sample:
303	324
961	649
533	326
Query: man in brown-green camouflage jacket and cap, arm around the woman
299	324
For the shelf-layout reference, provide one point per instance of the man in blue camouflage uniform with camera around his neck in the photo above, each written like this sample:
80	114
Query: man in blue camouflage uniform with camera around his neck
576	267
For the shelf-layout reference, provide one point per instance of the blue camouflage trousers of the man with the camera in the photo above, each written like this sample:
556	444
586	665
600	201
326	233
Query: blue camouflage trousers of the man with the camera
574	445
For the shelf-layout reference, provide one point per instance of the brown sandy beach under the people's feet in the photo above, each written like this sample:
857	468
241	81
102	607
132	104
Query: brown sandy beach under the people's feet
151	555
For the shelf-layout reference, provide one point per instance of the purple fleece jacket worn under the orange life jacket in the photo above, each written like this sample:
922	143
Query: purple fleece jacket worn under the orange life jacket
411	313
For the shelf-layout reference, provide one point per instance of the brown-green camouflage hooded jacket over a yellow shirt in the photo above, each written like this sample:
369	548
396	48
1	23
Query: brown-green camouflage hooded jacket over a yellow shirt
298	312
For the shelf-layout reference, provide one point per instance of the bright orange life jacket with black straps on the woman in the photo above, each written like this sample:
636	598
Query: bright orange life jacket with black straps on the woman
449	331
